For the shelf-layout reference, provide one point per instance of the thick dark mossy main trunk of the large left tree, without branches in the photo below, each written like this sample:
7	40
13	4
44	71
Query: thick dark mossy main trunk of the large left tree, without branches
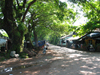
11	28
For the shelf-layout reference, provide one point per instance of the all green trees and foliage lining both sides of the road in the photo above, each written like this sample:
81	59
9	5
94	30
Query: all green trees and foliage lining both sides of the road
36	20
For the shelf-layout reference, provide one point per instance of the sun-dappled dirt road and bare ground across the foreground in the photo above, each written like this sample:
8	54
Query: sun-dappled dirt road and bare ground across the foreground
57	61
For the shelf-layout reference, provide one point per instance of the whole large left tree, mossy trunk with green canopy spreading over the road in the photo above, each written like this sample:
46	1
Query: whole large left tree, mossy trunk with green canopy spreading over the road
13	18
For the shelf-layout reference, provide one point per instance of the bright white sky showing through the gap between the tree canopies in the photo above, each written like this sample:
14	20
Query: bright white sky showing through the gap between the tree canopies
82	19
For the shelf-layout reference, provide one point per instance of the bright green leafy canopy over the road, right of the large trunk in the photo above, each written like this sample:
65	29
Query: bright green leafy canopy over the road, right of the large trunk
47	18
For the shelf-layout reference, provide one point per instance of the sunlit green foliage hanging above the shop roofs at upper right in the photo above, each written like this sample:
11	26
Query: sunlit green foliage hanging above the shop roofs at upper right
91	9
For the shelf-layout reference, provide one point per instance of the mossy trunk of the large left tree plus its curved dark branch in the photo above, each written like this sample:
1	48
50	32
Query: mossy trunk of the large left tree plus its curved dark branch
13	29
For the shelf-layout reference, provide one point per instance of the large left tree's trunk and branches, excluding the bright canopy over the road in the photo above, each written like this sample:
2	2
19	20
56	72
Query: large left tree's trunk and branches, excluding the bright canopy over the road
14	13
